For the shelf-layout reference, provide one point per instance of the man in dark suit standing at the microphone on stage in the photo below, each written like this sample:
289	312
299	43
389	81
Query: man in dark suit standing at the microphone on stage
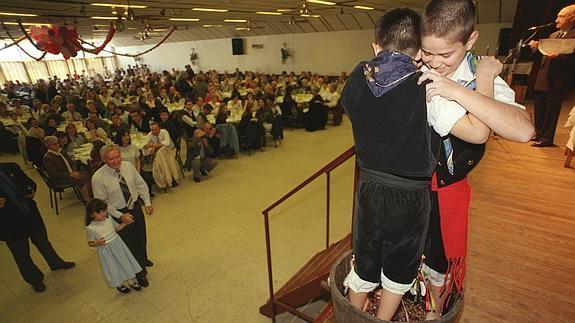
556	76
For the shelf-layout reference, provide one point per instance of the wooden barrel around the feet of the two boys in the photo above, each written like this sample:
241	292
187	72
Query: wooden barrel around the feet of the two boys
345	312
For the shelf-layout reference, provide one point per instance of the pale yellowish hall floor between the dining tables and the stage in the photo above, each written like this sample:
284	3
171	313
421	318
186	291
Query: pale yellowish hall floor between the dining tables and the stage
206	240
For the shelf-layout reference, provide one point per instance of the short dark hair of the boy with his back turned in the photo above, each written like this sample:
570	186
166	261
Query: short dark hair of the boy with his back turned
398	30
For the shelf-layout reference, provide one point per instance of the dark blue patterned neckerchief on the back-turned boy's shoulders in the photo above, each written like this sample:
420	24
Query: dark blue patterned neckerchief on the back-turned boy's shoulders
386	70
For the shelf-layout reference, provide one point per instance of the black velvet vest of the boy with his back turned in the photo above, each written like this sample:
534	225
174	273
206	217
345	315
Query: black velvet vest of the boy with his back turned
391	133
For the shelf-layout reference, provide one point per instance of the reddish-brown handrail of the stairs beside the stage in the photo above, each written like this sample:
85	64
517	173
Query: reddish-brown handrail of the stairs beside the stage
327	169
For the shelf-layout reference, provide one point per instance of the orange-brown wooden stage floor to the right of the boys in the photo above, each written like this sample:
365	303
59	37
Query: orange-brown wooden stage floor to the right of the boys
521	265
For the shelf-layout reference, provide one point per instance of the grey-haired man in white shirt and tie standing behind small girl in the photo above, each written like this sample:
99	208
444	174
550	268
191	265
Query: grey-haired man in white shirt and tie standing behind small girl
120	185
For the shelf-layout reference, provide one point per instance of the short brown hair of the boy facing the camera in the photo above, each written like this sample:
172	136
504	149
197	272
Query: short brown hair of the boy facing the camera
453	20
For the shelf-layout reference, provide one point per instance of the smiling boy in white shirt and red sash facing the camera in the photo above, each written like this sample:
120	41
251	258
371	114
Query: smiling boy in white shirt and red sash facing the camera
466	100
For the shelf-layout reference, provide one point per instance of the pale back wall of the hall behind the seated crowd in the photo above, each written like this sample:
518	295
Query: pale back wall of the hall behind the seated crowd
326	53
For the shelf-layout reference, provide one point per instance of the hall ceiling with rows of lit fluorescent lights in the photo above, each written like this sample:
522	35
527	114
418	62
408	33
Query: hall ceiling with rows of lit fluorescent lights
341	16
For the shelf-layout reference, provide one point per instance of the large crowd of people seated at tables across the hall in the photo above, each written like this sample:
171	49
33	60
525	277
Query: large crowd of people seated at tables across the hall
214	114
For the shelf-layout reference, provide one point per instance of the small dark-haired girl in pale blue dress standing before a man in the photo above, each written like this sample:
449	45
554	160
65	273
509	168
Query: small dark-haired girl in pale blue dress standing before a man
117	262
